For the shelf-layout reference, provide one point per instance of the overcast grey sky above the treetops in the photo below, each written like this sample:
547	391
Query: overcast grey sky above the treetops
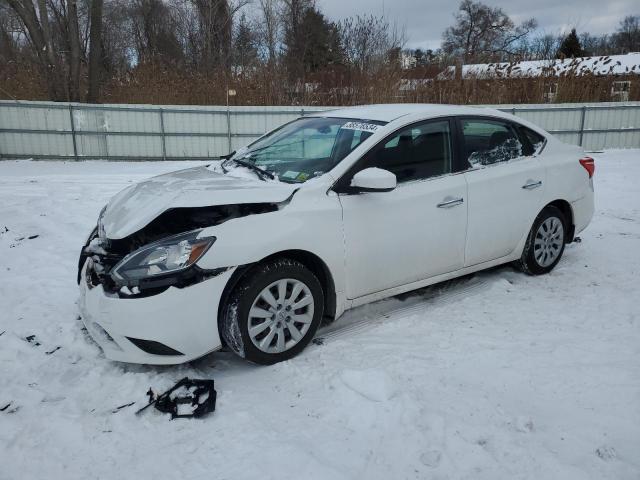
425	20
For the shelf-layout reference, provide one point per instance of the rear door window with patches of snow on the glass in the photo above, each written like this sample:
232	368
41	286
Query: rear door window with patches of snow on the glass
489	141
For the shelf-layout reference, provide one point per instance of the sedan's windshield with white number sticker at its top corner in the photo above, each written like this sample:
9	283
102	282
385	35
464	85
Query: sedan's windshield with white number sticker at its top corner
307	147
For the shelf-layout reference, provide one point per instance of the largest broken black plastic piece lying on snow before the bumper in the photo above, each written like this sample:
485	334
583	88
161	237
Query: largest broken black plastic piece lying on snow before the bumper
196	397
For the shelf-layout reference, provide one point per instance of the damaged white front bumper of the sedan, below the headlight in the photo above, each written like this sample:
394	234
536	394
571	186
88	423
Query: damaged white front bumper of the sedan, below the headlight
175	326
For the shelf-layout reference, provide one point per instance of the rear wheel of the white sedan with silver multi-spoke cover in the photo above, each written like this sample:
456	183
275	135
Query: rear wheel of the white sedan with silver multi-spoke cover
545	243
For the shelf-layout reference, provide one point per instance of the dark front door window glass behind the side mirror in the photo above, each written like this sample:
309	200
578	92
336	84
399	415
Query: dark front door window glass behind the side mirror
415	153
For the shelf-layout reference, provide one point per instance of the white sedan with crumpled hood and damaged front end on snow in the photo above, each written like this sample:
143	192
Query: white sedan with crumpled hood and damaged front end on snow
323	214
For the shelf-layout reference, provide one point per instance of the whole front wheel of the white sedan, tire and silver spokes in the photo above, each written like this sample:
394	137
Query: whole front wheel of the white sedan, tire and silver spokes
274	312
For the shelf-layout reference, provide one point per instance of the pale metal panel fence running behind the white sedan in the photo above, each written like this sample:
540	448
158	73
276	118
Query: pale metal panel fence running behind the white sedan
149	132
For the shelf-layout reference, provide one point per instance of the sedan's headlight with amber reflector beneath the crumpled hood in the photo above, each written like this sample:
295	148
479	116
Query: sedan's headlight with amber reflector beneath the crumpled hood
168	255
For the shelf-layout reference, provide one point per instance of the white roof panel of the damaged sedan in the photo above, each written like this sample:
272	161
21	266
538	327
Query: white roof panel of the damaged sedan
390	112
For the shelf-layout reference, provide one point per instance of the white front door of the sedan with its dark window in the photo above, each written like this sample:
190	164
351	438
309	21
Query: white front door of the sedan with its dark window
415	231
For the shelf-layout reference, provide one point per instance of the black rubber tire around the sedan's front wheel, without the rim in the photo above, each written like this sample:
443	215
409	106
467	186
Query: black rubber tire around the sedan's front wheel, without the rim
234	325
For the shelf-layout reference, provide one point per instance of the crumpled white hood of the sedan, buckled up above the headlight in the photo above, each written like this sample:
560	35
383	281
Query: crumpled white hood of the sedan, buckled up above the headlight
135	206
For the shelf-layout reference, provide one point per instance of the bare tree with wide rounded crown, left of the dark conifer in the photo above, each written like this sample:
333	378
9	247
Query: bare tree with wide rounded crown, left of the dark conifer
482	33
